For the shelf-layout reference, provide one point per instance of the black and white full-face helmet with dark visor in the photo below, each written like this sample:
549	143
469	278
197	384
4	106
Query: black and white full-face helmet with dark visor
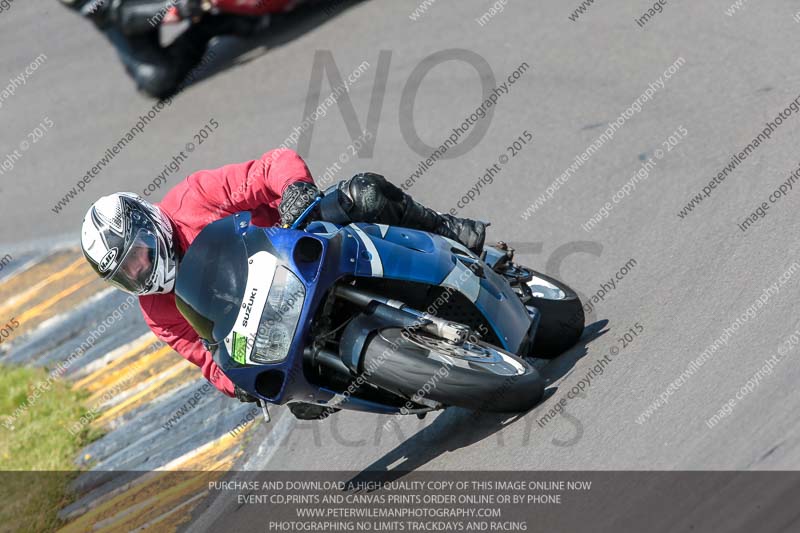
128	242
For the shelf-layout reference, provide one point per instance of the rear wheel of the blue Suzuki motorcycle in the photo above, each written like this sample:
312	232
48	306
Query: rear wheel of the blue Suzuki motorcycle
562	319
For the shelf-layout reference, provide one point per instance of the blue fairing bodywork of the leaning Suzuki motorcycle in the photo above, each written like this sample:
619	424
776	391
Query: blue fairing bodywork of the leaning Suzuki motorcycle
360	250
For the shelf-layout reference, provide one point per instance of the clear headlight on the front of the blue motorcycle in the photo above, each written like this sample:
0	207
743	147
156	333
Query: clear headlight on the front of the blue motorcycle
279	319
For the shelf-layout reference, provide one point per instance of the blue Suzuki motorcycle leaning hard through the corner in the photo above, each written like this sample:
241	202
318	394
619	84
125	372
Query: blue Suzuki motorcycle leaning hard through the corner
371	317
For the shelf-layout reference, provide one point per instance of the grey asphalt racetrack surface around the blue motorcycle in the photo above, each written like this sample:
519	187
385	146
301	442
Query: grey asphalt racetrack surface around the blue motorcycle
693	277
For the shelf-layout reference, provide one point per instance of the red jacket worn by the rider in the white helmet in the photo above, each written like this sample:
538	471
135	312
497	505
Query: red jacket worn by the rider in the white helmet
204	197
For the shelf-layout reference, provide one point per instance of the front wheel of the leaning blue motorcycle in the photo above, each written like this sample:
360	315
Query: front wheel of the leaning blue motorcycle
475	376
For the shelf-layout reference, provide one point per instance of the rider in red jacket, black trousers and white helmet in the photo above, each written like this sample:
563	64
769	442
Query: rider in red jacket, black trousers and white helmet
137	246
